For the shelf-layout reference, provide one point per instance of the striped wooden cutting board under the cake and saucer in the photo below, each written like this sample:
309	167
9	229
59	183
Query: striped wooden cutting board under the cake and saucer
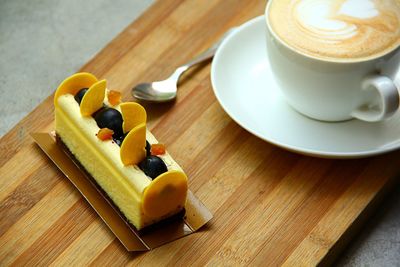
270	206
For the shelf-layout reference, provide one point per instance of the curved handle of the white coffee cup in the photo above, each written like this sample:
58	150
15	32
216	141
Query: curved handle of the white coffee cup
388	102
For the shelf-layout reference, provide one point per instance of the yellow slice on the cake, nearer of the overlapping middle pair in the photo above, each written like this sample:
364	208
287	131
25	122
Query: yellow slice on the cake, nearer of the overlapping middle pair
133	147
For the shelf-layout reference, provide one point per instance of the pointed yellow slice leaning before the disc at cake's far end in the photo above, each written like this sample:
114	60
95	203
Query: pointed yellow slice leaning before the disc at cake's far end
93	98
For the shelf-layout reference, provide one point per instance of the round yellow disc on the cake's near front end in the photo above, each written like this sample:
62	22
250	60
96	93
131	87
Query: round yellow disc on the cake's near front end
165	194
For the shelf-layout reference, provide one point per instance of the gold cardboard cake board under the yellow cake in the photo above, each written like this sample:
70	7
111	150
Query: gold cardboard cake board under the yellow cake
196	215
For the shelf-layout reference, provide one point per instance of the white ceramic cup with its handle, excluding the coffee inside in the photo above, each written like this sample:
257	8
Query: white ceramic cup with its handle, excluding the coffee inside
335	91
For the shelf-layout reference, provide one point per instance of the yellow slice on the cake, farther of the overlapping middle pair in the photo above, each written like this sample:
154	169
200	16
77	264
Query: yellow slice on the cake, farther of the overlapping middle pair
133	115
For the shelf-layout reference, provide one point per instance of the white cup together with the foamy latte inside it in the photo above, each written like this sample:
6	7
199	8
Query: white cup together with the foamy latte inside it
335	60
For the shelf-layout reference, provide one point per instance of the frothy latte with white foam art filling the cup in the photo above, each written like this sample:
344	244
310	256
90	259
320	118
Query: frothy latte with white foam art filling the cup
337	30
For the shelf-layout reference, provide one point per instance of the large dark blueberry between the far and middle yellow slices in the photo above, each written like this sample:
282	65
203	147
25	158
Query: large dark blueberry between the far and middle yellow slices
110	118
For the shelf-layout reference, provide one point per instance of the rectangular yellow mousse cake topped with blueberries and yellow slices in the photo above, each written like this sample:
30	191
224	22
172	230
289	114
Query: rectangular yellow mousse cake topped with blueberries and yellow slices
111	142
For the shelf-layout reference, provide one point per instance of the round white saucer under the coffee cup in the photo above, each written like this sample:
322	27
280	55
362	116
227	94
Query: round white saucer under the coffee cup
245	87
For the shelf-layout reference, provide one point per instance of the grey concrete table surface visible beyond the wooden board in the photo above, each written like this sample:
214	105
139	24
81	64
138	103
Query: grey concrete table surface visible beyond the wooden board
42	42
